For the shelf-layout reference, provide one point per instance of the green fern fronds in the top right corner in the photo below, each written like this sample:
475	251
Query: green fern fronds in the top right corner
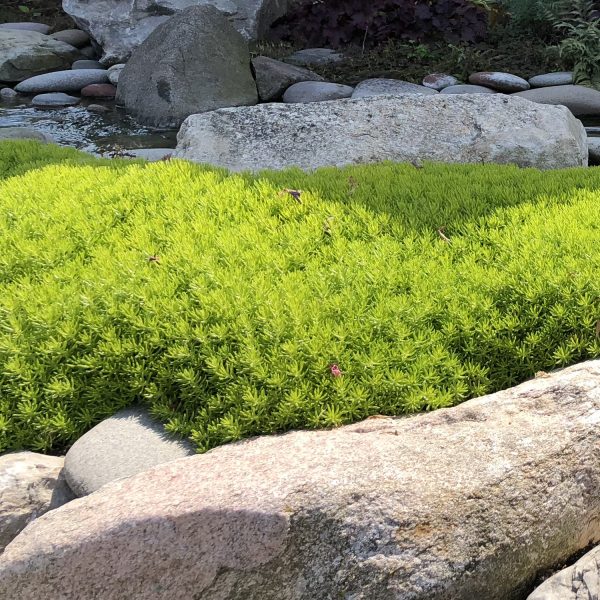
578	23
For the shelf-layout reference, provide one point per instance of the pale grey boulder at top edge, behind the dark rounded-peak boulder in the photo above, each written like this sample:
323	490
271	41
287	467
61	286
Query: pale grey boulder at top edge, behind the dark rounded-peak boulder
119	27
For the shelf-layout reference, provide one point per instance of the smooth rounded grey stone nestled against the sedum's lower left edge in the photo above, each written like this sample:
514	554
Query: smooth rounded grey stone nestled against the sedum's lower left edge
127	443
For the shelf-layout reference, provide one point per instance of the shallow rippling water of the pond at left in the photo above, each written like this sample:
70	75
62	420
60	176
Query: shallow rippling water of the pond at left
98	133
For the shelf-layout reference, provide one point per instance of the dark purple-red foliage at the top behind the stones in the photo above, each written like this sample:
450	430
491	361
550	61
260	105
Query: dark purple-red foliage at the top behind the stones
335	23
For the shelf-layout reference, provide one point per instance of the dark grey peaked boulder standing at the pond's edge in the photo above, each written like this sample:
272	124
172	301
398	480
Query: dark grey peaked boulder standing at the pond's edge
176	72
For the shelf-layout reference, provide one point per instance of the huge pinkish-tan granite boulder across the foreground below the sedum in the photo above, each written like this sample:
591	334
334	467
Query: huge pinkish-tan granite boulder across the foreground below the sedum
463	503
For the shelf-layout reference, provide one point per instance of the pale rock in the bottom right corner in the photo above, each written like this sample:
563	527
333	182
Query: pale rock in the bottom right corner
580	581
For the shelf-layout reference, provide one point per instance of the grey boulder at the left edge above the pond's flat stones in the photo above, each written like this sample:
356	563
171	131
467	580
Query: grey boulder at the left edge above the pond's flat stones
25	53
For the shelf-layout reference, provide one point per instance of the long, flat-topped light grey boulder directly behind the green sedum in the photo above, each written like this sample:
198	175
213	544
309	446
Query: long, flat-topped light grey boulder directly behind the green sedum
471	128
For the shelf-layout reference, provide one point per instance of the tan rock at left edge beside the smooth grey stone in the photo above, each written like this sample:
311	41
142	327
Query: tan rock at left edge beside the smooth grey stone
30	485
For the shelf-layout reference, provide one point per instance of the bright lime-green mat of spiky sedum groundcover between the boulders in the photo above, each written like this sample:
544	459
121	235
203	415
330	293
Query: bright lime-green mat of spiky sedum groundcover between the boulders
235	305
